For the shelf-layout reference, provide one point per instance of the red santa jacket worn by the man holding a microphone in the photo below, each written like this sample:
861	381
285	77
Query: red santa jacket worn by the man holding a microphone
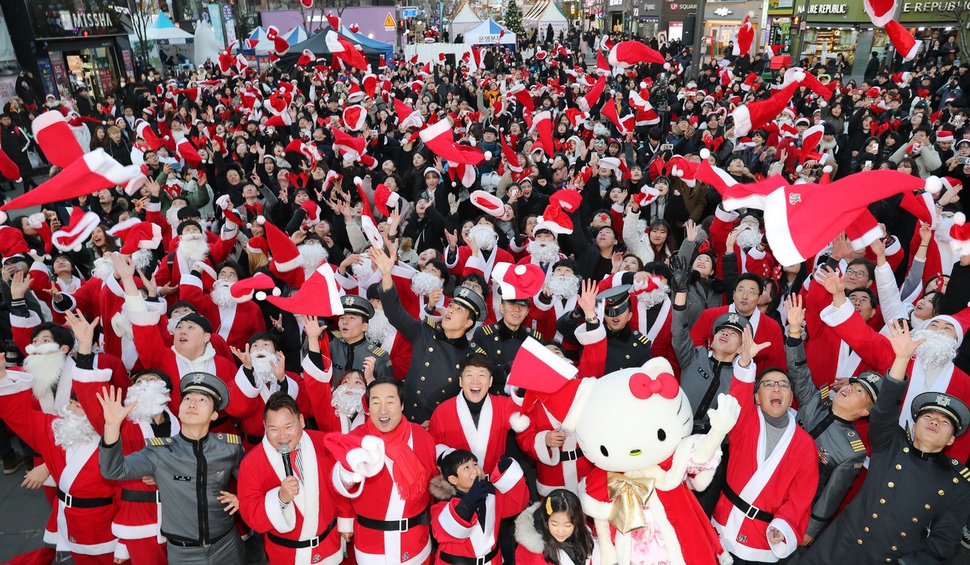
310	514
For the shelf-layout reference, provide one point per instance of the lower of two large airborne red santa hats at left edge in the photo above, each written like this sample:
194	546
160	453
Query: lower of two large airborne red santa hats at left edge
87	175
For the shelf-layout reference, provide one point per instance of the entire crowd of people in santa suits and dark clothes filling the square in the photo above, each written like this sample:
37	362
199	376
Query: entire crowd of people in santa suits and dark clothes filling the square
292	340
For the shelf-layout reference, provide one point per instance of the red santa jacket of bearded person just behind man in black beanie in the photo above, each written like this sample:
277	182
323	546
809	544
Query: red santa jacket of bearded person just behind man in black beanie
235	323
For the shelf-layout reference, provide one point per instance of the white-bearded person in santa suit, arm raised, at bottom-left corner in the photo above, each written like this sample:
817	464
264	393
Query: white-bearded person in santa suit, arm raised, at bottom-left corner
68	443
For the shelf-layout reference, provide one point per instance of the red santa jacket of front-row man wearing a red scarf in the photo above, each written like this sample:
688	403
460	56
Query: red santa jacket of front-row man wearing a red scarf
377	498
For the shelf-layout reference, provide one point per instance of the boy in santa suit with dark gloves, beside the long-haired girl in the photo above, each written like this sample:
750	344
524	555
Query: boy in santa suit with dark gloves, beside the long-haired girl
470	505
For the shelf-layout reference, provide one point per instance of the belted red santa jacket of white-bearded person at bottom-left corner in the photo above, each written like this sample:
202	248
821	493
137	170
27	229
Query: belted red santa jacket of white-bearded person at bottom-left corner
85	531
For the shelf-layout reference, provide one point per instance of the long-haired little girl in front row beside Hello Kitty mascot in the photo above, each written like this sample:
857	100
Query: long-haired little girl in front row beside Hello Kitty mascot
554	530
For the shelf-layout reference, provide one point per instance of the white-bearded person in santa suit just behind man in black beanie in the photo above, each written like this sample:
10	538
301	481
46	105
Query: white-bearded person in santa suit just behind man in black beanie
233	318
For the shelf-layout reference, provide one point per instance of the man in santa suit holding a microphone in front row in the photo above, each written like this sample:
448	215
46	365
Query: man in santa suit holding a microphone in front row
294	506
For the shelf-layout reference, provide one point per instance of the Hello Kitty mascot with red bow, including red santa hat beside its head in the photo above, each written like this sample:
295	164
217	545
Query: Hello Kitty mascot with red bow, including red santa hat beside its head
635	426
